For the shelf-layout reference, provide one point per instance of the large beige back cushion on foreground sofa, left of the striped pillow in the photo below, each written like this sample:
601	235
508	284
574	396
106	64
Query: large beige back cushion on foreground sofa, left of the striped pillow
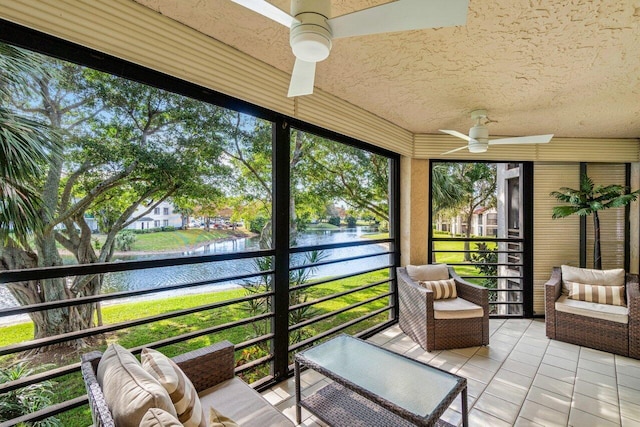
128	389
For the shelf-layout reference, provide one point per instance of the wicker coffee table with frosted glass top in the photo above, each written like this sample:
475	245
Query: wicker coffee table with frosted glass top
373	386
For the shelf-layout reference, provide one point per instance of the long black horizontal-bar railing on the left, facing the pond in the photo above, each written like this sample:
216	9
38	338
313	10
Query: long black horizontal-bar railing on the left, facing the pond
359	302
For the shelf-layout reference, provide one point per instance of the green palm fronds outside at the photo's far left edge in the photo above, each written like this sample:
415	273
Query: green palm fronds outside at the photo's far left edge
26	147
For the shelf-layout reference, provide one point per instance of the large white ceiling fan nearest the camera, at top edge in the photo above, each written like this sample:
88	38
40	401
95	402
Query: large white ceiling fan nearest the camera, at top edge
312	31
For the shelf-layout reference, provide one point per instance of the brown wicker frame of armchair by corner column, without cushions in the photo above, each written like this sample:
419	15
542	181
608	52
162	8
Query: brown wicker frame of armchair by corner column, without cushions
416	316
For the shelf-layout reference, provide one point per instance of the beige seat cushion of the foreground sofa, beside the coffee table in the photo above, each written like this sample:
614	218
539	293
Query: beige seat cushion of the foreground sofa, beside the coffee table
241	403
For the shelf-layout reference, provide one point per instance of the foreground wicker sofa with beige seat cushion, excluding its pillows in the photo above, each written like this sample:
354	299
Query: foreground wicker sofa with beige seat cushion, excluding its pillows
211	370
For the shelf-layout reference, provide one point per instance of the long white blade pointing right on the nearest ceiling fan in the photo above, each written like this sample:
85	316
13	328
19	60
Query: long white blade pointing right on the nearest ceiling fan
401	15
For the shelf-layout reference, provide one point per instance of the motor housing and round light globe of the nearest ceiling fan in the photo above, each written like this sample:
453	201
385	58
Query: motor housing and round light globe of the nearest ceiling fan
310	39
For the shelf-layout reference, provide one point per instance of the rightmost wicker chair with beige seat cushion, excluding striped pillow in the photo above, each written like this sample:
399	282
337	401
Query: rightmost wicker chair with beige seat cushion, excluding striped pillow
615	329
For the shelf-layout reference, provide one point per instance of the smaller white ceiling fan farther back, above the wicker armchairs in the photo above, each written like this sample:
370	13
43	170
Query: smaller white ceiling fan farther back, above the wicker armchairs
479	136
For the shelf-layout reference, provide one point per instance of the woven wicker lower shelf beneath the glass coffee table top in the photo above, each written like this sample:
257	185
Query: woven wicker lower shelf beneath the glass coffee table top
338	406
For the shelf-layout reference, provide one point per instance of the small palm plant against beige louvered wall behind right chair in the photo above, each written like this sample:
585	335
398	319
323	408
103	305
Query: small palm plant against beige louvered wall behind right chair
590	199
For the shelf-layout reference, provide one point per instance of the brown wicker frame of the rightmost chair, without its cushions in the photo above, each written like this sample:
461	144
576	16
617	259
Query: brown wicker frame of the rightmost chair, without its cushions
605	335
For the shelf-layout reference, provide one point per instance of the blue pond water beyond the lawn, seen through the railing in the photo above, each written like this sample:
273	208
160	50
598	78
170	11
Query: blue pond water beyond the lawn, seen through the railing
165	276
